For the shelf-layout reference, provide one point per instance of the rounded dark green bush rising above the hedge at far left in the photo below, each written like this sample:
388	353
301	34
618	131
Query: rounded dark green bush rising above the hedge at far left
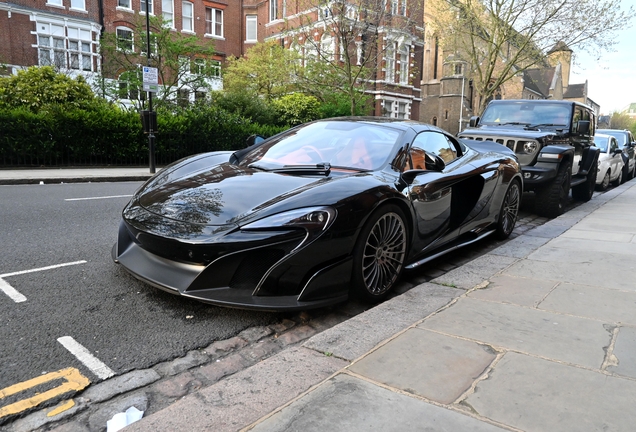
40	86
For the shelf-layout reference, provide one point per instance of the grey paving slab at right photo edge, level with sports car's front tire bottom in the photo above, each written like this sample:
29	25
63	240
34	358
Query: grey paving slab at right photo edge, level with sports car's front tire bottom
607	305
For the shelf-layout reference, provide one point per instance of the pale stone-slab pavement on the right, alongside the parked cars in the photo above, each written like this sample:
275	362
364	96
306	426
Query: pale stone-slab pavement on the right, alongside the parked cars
539	334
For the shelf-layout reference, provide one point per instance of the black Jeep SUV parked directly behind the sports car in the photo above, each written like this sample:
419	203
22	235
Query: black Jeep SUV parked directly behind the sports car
554	142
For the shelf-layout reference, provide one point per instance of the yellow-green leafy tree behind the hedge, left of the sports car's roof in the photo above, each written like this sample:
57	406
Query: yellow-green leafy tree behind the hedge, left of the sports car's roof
266	69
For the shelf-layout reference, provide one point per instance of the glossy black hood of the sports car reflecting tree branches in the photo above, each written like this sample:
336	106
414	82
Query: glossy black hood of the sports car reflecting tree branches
231	194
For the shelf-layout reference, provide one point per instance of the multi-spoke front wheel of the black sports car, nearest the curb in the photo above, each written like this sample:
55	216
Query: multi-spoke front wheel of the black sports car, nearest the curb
379	254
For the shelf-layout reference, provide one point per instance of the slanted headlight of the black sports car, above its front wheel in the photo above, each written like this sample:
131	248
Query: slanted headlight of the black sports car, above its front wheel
313	219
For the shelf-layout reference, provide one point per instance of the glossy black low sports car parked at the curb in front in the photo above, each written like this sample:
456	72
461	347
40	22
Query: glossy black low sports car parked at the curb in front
318	212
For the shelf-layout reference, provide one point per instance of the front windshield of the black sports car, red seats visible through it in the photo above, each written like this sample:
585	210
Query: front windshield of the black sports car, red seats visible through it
339	144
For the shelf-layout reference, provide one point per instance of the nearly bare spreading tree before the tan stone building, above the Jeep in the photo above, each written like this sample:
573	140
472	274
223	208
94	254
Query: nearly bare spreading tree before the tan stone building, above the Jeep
499	39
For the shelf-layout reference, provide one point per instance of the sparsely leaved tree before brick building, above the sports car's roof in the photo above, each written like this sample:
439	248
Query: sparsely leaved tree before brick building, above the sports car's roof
343	44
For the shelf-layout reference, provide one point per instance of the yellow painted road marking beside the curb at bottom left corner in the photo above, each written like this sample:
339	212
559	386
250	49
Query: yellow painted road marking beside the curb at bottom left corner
73	381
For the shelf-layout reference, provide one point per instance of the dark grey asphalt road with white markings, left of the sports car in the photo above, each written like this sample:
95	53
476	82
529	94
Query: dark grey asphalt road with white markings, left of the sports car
122	322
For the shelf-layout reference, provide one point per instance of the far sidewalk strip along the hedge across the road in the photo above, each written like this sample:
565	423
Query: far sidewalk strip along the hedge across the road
72	175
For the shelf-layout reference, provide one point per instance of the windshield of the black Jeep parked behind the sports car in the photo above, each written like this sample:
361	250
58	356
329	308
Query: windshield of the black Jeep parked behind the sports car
527	114
